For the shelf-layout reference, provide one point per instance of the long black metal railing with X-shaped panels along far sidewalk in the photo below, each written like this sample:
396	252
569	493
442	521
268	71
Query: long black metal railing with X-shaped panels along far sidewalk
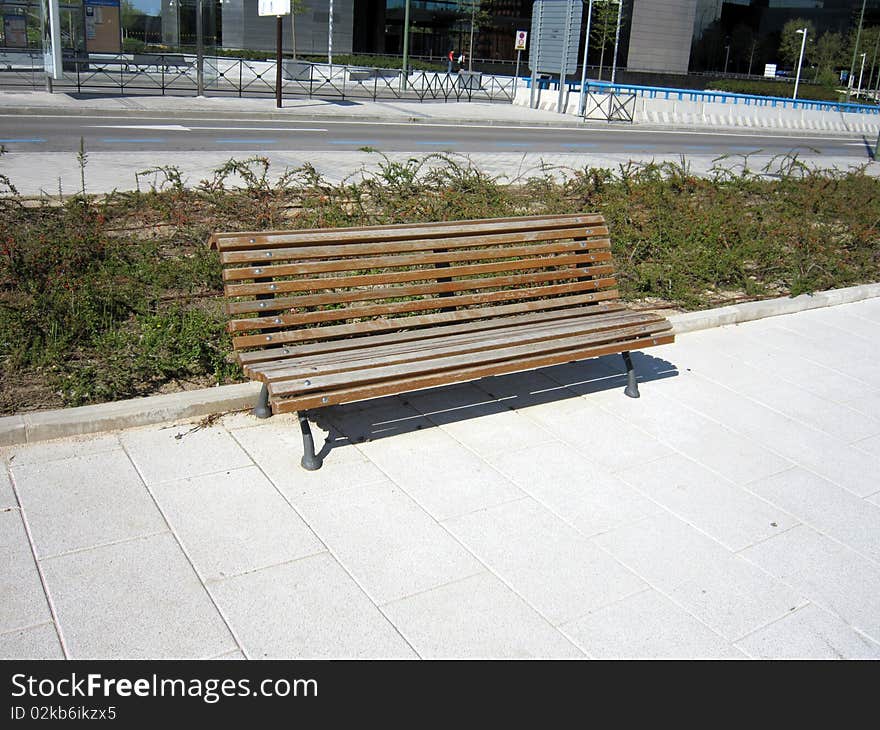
176	74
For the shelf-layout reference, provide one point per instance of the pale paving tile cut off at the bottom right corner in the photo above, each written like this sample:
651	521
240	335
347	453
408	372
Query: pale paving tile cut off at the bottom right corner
809	633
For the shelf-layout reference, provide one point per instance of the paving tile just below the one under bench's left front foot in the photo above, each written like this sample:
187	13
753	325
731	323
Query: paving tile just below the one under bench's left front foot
389	544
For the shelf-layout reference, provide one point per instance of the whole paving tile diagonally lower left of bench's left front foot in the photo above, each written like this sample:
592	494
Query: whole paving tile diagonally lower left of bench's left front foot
234	522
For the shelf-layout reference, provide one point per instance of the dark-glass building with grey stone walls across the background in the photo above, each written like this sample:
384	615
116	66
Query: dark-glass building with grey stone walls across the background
657	36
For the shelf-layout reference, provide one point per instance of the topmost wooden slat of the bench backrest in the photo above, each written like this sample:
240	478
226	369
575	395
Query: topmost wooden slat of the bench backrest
400	232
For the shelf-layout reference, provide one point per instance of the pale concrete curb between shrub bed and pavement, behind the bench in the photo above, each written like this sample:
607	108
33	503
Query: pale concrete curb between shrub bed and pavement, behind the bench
47	425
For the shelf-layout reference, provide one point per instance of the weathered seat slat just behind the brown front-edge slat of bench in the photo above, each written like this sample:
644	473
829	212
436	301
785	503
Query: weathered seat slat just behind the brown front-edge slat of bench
323	382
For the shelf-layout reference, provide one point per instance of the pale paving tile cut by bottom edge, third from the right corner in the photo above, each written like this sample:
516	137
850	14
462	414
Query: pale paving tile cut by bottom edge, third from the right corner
478	617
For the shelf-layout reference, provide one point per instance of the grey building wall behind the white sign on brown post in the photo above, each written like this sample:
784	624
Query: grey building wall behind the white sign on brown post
243	28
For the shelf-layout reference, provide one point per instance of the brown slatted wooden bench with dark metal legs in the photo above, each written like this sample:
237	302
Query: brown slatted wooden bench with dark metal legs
330	316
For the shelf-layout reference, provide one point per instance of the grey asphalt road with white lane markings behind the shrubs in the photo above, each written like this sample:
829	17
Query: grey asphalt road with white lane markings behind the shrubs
152	132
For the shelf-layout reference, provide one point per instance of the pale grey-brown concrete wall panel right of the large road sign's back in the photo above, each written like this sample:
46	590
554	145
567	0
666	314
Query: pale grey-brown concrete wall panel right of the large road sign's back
661	34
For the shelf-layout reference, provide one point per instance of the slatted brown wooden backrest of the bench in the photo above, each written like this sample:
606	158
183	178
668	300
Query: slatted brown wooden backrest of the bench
291	287
